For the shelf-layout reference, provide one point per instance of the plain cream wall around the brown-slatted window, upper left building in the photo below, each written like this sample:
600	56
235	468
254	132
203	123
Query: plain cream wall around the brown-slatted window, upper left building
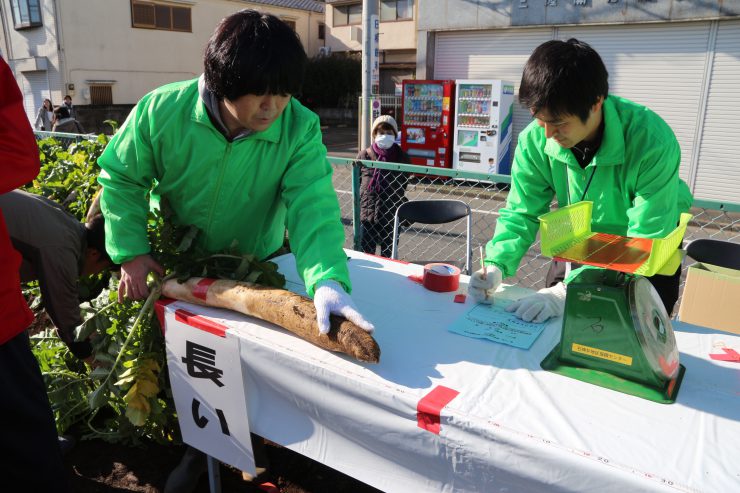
100	44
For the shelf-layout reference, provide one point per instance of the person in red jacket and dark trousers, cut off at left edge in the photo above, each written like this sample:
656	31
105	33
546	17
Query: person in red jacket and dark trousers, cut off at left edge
28	438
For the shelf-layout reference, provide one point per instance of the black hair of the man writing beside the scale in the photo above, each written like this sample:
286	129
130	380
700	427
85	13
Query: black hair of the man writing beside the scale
563	77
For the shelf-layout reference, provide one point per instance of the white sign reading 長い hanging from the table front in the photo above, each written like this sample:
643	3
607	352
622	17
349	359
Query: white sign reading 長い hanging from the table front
207	386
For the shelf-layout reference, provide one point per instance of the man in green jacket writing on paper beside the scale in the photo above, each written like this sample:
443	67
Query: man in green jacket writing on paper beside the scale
583	144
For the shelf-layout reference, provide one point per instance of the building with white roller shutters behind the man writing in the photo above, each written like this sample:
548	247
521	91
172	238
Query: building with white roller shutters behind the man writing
681	58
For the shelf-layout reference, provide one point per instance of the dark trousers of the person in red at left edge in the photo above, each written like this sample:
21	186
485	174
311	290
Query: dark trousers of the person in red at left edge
32	460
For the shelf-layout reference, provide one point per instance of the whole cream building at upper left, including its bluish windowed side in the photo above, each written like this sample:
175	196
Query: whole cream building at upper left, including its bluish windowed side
112	52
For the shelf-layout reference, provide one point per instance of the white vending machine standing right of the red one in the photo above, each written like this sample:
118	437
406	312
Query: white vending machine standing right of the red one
483	126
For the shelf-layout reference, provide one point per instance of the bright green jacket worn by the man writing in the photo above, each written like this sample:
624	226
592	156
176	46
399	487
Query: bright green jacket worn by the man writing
636	190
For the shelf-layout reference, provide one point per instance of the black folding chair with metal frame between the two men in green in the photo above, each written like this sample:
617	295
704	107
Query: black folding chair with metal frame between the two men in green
434	212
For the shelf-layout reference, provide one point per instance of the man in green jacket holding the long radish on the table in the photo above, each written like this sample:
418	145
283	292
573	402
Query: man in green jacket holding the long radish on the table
237	156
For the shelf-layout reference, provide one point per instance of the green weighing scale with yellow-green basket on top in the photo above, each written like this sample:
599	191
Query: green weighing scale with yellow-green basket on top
616	332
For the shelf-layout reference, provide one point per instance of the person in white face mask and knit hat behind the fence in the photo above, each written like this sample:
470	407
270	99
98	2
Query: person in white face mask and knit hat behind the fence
381	191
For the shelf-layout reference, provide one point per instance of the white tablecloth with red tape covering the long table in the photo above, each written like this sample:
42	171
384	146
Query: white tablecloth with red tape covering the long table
513	426
